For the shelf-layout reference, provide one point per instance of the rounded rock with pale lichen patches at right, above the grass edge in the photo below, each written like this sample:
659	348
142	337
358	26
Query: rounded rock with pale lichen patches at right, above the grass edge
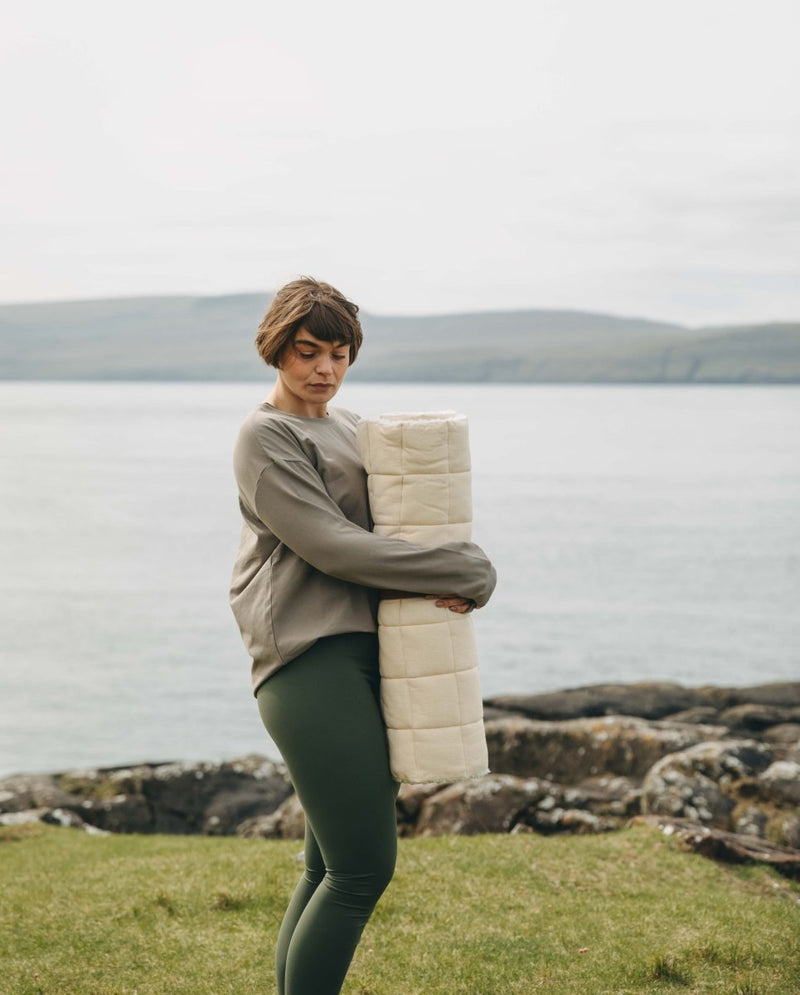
695	784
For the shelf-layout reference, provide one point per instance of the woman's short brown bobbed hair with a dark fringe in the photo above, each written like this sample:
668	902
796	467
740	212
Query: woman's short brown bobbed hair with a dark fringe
319	308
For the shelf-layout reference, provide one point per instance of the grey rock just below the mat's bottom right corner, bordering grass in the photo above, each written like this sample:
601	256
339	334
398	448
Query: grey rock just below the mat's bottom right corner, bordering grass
492	804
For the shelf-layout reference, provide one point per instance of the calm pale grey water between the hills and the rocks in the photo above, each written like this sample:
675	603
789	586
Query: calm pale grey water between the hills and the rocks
638	532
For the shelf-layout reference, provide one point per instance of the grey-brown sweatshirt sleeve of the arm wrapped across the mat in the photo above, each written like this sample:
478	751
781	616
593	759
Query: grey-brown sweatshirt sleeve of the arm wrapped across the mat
291	500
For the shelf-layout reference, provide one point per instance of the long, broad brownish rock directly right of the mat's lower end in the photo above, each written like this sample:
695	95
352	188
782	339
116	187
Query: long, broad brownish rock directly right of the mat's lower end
572	751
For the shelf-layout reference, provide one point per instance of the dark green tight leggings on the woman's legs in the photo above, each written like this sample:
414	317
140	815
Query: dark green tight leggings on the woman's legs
322	711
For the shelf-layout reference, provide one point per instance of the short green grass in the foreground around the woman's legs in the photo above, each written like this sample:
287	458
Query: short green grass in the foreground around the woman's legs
494	915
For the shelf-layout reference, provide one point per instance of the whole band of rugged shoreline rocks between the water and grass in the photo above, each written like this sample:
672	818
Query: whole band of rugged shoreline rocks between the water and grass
718	767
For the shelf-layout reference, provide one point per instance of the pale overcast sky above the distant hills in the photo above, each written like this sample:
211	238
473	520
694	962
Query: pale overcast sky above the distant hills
638	157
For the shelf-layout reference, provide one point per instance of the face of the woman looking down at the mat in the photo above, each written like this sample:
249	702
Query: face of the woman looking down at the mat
311	371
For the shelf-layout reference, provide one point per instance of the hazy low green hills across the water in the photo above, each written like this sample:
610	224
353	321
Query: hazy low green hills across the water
211	338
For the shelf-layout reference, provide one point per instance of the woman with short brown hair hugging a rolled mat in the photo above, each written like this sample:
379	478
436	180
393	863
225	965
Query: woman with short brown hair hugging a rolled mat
304	592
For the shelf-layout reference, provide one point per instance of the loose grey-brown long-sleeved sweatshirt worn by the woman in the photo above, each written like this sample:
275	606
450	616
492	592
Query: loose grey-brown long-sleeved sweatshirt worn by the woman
308	565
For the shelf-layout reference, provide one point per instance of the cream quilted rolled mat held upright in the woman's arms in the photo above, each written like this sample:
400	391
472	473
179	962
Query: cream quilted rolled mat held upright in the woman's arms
418	468
